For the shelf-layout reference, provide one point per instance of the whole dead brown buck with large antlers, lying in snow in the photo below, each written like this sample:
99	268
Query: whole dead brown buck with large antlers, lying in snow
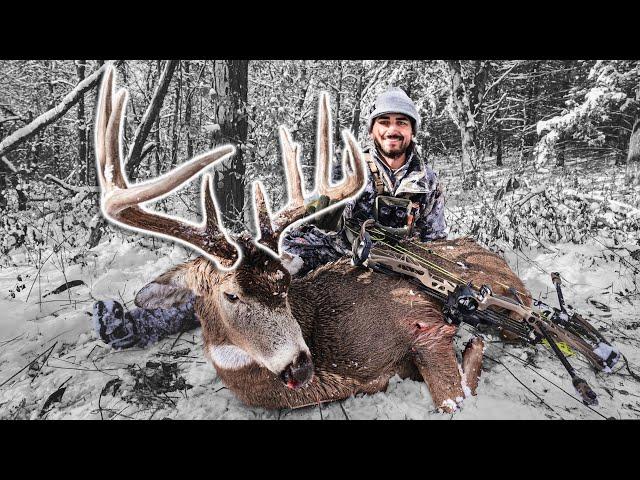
275	341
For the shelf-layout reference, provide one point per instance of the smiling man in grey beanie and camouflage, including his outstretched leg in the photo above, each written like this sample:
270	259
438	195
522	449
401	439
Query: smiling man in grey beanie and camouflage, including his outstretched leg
402	194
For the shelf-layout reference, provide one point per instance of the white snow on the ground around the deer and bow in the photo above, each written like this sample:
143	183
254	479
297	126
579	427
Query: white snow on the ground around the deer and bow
517	382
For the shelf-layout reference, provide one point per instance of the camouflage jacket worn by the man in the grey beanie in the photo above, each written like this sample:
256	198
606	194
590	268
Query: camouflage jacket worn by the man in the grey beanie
414	180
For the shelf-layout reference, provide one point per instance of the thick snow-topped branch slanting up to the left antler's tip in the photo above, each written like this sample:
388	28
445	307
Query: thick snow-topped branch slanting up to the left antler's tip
19	136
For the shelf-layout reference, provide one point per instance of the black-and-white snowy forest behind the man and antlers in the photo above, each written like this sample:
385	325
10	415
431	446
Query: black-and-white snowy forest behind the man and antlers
543	115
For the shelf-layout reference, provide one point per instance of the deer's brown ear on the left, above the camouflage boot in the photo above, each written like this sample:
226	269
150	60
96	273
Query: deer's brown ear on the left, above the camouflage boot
167	291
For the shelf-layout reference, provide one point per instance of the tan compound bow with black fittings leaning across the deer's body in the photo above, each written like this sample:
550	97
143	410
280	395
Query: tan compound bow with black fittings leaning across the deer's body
379	249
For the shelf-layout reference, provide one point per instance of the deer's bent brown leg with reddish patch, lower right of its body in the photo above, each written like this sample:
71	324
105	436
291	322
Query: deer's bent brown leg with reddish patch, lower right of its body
435	358
